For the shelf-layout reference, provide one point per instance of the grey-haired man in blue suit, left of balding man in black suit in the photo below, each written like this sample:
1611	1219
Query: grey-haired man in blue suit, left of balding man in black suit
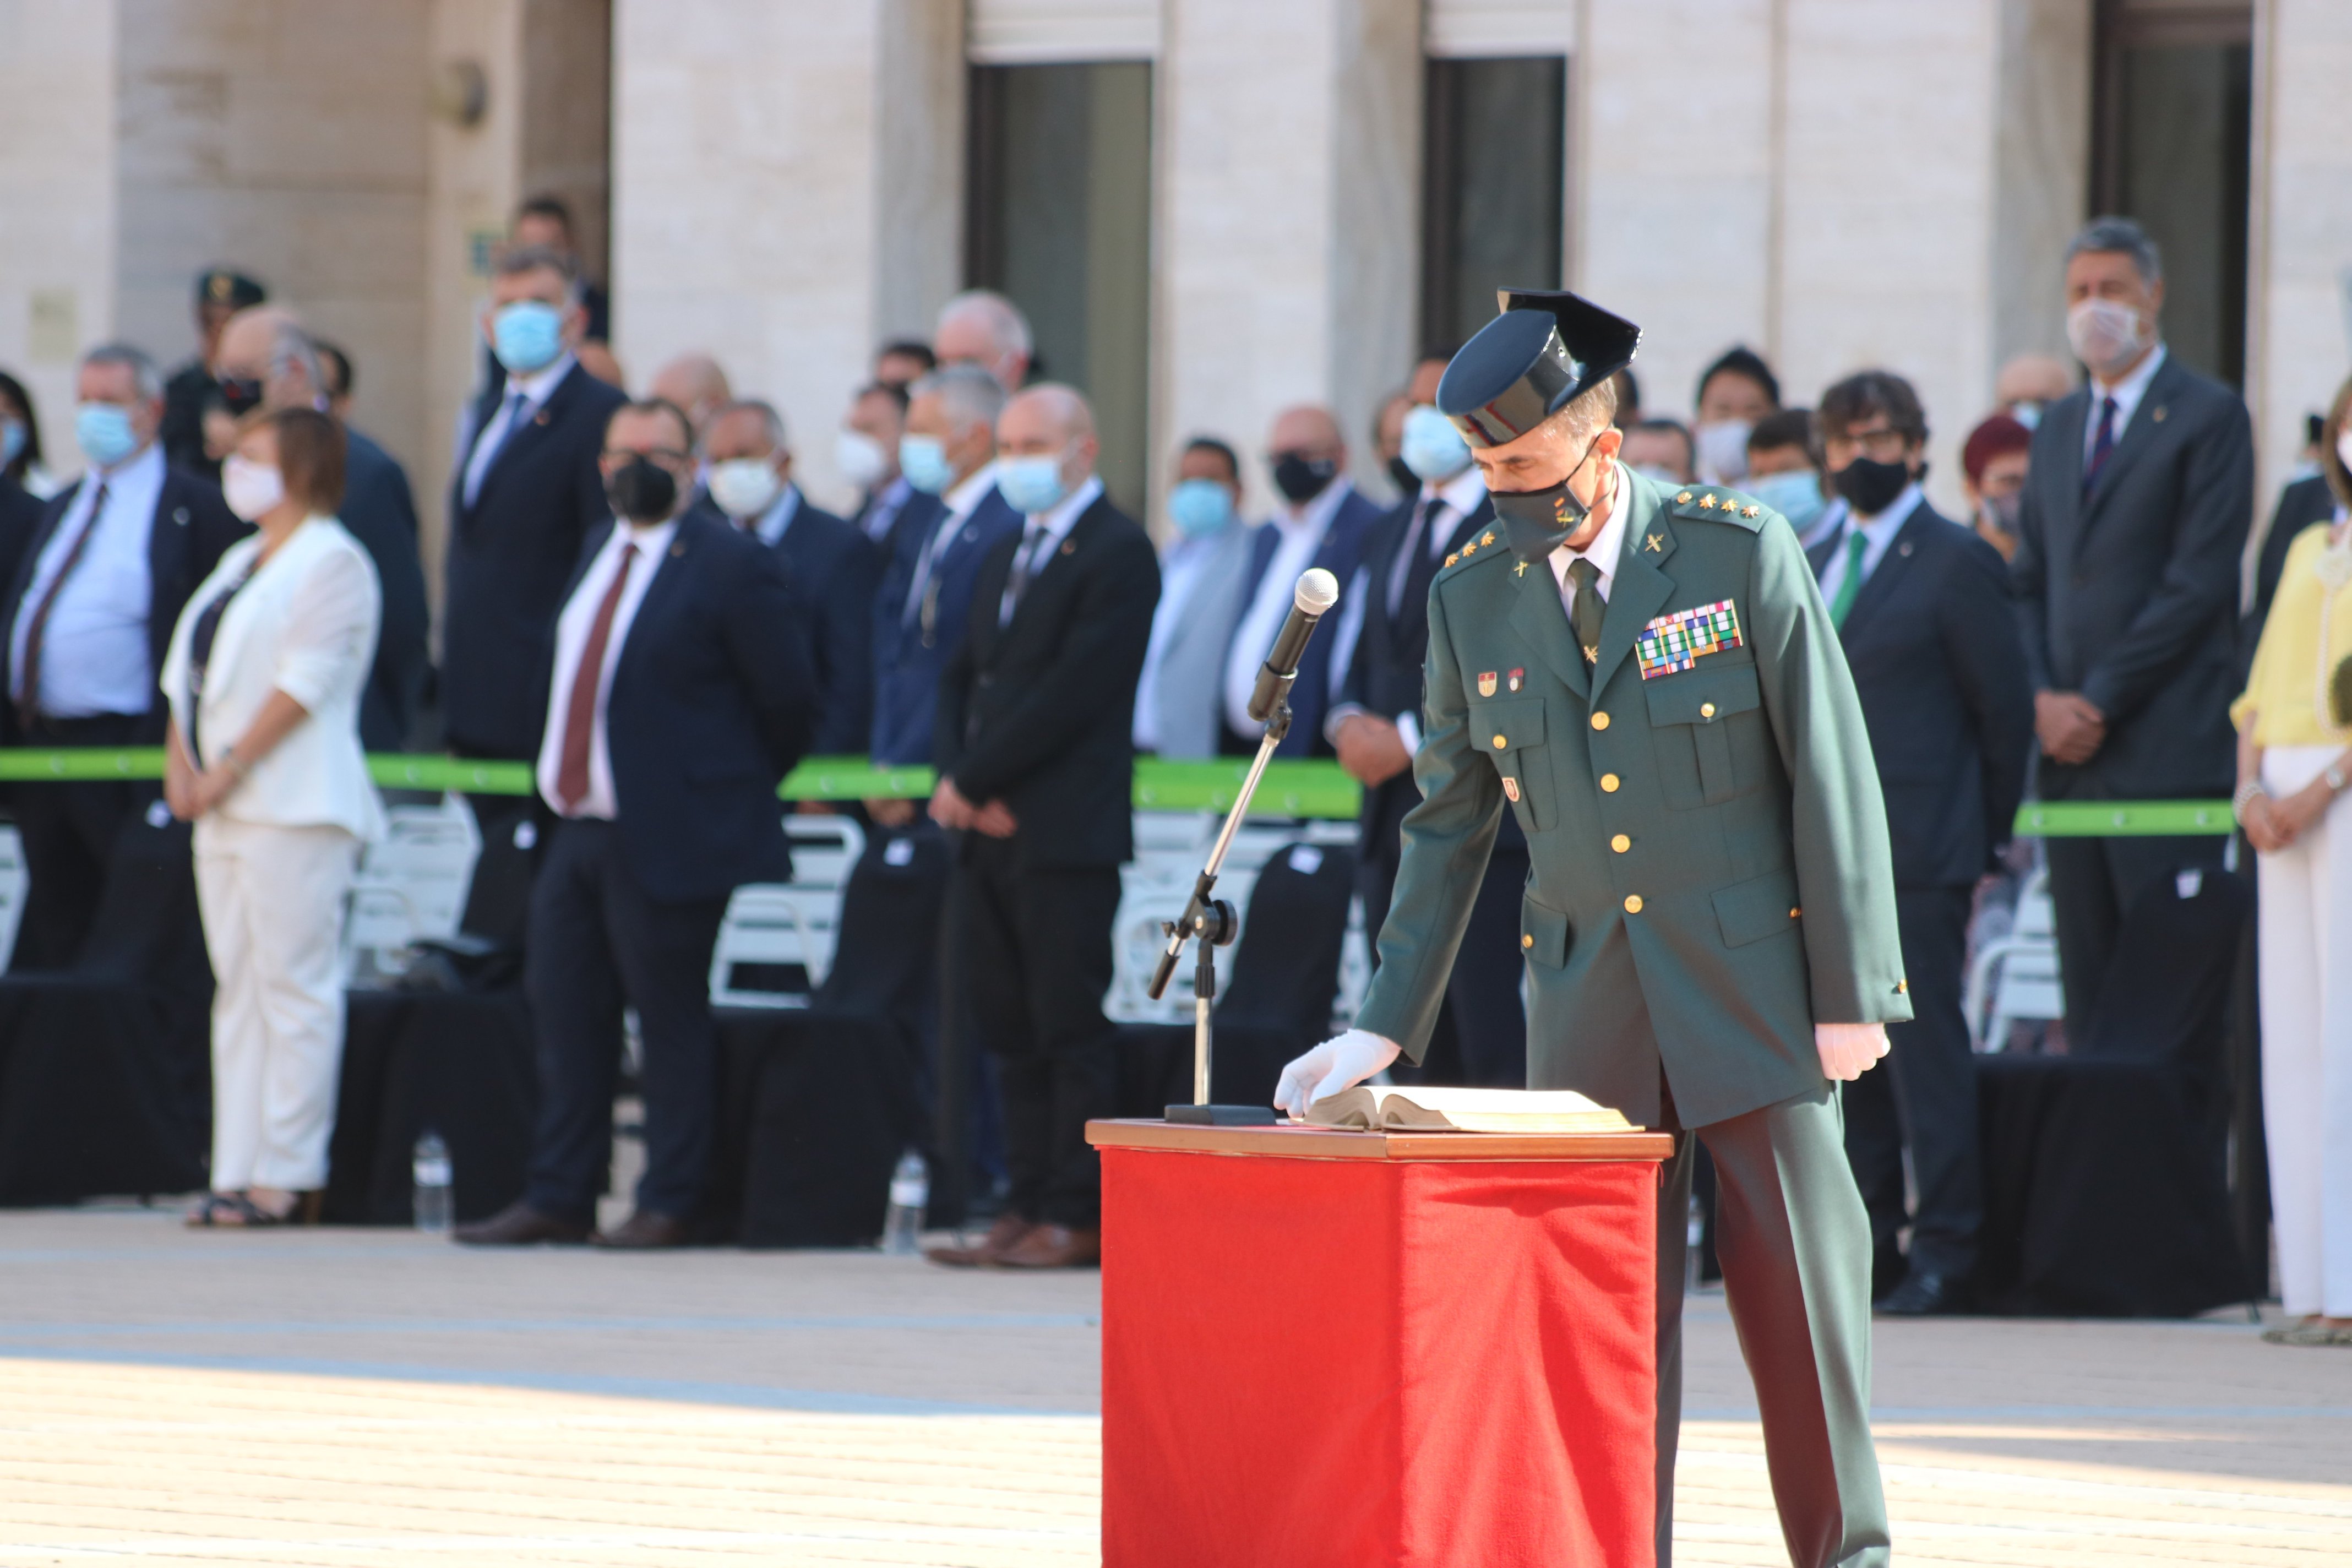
949	453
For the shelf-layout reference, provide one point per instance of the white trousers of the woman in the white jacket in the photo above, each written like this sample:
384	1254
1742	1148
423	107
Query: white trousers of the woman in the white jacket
274	920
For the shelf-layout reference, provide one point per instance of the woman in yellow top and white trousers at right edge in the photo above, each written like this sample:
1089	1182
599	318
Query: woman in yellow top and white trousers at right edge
2294	760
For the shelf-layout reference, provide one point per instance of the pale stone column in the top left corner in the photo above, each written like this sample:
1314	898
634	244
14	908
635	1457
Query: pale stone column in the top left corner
58	189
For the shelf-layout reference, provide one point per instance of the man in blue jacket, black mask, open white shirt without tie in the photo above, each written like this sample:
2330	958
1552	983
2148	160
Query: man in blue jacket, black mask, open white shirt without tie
1323	523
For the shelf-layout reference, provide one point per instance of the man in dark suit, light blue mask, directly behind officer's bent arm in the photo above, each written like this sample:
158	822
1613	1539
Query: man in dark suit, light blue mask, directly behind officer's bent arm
1377	728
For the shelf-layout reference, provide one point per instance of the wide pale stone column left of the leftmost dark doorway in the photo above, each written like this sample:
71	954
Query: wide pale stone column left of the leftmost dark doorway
784	194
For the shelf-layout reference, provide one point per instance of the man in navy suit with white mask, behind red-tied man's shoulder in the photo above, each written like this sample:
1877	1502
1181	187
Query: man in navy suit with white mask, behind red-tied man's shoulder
836	568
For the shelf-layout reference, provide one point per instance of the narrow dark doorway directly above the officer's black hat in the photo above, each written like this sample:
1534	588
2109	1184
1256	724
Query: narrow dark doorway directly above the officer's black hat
1490	222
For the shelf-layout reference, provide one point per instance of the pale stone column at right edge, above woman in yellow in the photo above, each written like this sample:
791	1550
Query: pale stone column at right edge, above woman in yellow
2301	264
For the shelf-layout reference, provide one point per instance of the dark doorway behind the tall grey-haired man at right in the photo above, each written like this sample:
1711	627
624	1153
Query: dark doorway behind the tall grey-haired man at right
2174	149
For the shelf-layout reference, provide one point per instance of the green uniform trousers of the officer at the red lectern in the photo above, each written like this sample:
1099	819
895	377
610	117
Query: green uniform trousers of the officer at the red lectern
1796	1249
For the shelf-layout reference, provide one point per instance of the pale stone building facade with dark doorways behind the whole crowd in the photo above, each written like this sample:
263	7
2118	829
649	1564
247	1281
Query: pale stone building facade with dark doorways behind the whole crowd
1215	208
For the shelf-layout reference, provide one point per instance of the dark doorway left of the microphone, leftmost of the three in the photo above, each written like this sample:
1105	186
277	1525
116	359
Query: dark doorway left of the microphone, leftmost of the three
1060	220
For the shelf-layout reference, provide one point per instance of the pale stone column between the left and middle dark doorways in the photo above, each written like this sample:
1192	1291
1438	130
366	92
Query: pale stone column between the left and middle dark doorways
1288	217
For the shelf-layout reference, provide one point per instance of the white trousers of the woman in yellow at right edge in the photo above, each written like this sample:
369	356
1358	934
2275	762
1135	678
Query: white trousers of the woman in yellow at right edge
2306	897
